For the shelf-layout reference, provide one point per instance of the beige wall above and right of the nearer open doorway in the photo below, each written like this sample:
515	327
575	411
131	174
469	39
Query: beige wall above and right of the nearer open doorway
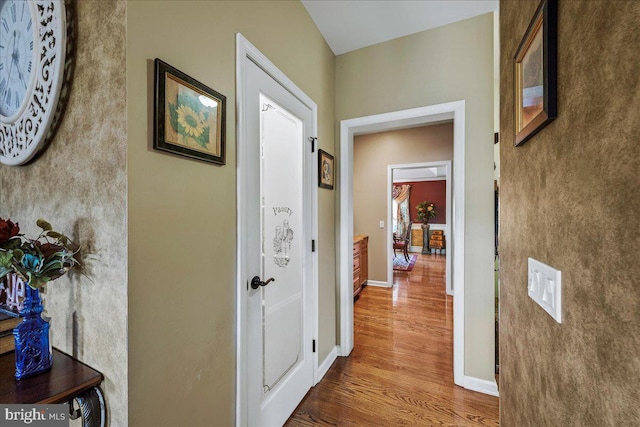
445	64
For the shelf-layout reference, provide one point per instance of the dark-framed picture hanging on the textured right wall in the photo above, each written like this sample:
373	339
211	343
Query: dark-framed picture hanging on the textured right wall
535	72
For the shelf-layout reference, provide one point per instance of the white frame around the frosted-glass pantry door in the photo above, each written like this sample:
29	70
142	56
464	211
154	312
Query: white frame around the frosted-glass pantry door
245	51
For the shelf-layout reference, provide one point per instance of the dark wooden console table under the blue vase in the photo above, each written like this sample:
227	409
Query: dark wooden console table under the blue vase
68	380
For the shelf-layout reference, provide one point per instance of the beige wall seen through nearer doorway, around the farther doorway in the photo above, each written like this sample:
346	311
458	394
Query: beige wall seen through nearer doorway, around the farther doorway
371	155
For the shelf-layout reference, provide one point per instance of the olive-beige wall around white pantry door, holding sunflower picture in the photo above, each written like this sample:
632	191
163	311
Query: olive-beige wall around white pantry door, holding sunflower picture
182	213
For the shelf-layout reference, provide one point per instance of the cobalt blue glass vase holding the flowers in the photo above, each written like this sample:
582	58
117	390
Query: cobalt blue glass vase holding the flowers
33	351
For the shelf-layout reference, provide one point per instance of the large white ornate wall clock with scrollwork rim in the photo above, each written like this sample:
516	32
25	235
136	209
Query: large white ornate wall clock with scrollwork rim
36	41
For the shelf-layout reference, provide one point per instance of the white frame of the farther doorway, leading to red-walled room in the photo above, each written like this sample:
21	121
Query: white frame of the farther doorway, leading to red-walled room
448	229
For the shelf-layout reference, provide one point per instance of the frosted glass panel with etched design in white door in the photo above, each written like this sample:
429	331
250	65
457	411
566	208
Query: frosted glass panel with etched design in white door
281	136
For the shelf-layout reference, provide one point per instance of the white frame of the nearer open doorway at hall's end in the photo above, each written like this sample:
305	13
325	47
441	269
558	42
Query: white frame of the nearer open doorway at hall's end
384	122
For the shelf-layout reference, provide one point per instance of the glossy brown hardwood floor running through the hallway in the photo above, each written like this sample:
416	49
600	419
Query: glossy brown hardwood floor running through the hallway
401	369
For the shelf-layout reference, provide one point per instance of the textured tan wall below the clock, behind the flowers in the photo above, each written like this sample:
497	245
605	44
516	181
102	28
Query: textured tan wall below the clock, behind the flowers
78	184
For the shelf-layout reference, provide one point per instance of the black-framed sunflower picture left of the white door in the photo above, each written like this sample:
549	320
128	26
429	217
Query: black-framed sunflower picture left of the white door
189	117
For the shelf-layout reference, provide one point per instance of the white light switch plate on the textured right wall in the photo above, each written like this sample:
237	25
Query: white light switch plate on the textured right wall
545	288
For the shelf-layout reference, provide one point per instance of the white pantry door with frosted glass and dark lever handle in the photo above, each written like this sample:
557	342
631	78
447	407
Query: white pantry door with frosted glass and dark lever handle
277	242
